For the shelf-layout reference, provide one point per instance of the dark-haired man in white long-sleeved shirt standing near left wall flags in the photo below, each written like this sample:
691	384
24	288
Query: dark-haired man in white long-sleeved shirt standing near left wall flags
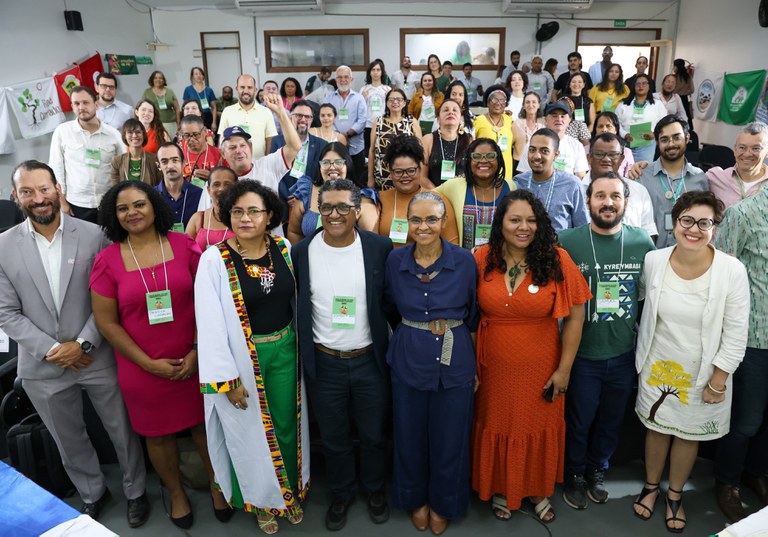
81	156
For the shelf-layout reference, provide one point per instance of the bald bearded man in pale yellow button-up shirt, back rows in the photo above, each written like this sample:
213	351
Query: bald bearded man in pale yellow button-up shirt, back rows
248	115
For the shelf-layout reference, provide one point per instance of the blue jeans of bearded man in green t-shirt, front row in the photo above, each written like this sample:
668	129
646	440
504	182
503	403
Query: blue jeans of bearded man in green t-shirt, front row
598	392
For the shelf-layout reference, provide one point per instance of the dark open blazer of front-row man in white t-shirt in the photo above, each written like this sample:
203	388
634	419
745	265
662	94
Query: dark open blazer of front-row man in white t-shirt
375	251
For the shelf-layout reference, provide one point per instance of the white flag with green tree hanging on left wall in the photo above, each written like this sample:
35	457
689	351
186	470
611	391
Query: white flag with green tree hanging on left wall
36	106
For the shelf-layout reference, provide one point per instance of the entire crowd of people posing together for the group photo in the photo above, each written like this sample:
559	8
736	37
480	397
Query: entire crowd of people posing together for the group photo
495	317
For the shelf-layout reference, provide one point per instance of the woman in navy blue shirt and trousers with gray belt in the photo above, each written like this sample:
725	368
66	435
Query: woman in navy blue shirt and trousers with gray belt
432	283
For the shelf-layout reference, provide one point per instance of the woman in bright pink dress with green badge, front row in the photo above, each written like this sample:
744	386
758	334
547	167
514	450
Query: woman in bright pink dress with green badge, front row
142	295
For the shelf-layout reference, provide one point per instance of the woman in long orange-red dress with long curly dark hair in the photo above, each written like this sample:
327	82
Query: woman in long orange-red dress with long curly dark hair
526	284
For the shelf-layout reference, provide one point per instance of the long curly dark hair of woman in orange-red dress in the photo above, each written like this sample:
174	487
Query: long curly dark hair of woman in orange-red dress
542	257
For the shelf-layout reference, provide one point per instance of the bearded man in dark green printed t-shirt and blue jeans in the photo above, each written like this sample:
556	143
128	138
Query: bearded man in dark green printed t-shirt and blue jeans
610	256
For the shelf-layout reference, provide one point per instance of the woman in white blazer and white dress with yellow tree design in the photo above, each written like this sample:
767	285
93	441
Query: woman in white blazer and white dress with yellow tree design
692	337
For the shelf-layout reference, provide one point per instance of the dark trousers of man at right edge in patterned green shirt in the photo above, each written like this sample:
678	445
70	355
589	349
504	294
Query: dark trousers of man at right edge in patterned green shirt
746	446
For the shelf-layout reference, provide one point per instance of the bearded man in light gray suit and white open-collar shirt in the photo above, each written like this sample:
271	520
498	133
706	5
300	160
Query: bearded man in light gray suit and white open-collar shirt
45	307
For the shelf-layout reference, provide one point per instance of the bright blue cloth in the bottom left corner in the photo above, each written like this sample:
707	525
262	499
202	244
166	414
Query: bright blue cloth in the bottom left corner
27	509
